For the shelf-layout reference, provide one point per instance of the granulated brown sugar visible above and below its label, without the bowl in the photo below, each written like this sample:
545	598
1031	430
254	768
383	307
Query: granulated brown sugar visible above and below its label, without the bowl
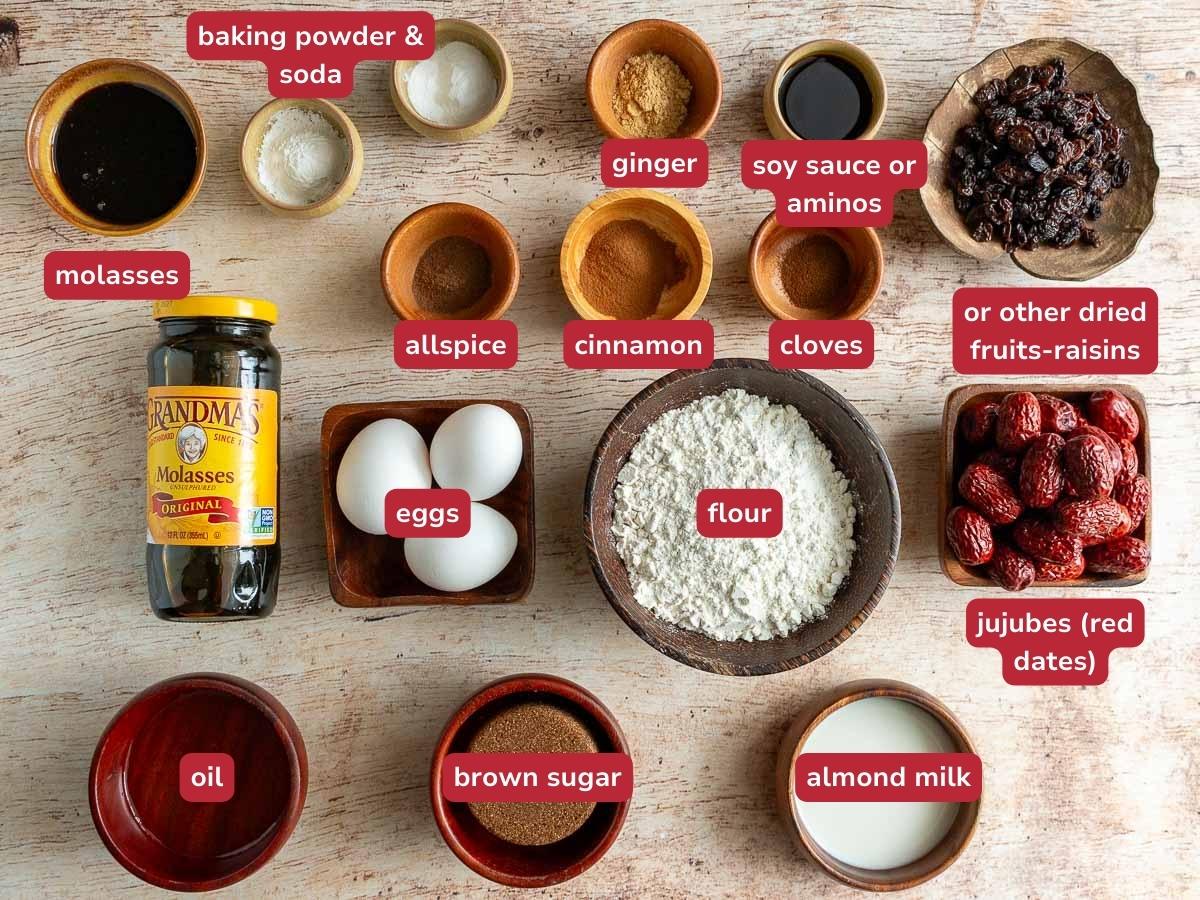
533	728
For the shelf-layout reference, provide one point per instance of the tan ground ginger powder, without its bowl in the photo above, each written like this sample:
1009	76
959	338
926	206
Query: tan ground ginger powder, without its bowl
652	97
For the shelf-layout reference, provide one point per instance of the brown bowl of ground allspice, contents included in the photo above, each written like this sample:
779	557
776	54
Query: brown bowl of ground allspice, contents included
451	261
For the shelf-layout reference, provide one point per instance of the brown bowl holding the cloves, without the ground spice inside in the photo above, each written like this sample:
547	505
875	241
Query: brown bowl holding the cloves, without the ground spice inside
863	253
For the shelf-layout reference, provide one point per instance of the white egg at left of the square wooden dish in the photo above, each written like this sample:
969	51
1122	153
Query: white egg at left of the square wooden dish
386	455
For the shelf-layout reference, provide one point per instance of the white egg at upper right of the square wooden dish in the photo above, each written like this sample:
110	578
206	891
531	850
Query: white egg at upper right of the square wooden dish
477	448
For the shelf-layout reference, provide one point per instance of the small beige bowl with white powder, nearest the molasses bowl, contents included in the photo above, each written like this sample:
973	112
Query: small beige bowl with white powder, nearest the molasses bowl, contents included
302	158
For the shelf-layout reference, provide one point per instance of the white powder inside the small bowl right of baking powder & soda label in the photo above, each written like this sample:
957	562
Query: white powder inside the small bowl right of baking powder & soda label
455	87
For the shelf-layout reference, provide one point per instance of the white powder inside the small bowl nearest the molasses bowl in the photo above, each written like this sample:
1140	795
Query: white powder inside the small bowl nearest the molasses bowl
303	158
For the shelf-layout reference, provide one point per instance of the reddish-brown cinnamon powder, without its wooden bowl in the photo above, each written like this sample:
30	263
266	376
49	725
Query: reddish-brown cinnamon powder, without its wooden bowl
627	268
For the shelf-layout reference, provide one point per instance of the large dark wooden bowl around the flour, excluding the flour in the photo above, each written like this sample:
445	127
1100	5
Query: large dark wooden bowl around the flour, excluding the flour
857	453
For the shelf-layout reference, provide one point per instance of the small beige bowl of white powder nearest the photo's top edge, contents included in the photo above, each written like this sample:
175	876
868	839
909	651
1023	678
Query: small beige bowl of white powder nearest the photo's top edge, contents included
461	91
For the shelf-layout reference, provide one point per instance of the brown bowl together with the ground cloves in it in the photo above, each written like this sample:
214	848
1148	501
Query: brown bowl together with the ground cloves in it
815	273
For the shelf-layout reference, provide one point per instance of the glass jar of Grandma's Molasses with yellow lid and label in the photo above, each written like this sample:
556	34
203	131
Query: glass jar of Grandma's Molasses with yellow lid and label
213	449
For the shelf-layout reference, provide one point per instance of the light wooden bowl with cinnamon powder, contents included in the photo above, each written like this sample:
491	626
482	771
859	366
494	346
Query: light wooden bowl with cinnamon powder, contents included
637	255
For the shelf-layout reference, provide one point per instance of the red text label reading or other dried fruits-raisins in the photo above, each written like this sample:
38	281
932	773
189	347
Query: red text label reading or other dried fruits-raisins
1055	331
